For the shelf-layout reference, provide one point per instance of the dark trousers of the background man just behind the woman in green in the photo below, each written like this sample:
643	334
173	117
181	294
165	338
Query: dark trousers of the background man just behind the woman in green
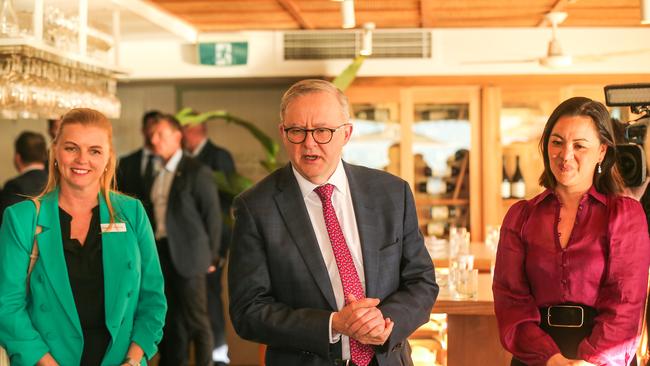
187	316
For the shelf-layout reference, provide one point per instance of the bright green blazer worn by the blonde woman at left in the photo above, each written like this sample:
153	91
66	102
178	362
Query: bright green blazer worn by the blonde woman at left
46	319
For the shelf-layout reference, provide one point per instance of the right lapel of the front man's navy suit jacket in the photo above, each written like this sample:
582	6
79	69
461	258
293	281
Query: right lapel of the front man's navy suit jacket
365	213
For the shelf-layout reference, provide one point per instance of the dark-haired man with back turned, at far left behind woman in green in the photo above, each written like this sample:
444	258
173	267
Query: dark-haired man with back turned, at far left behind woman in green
30	155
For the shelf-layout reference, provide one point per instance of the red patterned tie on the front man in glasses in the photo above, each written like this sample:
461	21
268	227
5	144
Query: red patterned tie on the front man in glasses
361	354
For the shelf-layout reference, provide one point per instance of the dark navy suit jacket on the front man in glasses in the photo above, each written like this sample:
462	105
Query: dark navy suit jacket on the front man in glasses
280	292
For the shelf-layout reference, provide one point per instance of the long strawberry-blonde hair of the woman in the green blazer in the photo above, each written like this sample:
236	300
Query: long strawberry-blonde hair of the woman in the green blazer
89	118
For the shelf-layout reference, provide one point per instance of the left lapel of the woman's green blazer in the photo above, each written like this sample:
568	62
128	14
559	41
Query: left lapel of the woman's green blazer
50	245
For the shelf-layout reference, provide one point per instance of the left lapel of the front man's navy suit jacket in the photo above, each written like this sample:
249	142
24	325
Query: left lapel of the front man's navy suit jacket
294	213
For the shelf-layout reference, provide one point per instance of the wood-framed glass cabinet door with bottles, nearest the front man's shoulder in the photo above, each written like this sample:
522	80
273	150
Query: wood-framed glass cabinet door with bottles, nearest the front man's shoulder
443	143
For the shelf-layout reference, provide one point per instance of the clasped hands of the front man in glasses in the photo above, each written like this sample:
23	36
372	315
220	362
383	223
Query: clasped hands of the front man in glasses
363	321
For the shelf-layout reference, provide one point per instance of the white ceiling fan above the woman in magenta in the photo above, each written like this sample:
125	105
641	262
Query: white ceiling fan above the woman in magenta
555	56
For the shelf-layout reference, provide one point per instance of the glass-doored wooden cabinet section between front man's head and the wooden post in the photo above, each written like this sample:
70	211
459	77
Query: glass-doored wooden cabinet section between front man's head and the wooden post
433	127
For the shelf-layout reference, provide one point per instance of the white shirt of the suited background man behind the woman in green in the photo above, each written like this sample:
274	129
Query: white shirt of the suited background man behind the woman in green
160	192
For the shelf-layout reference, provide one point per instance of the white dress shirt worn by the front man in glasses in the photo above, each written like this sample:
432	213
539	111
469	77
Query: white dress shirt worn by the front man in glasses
342	202
